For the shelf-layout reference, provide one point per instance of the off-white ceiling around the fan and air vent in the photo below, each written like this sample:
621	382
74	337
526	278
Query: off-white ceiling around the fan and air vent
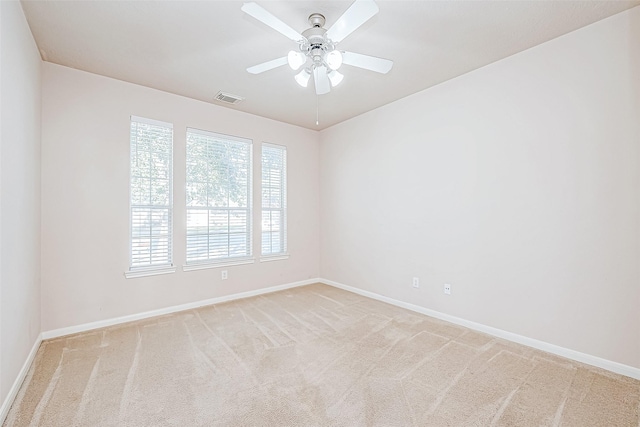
197	48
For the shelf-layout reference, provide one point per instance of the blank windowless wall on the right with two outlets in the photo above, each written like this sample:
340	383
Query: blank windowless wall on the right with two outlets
518	184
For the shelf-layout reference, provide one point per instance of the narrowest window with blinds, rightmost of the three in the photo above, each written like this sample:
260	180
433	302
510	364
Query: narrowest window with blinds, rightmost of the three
274	200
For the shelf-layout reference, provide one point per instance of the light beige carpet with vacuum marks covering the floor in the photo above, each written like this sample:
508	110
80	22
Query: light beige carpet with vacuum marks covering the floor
311	356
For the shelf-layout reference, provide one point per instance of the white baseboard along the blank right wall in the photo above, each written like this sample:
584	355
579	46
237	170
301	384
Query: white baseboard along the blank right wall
588	359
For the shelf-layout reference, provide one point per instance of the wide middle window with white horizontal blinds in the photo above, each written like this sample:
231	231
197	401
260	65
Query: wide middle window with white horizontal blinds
218	198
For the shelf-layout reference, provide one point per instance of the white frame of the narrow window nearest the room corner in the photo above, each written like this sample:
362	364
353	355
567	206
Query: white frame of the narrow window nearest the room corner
283	253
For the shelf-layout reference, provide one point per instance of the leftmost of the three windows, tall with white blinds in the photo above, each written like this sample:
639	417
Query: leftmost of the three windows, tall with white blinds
151	198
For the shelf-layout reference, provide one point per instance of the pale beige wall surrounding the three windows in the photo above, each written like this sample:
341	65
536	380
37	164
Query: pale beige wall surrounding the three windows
85	199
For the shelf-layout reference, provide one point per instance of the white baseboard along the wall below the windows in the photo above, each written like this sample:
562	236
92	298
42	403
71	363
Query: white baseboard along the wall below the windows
168	310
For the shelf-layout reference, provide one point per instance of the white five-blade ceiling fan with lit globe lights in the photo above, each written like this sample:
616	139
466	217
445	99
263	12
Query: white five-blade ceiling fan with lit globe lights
317	52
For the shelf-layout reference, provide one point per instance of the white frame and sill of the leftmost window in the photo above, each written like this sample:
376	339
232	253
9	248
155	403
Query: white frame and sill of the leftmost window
151	269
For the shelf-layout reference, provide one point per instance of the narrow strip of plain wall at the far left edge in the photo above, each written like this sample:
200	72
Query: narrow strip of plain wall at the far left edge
20	68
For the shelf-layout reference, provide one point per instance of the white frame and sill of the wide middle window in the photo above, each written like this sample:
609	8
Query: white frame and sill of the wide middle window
197	264
